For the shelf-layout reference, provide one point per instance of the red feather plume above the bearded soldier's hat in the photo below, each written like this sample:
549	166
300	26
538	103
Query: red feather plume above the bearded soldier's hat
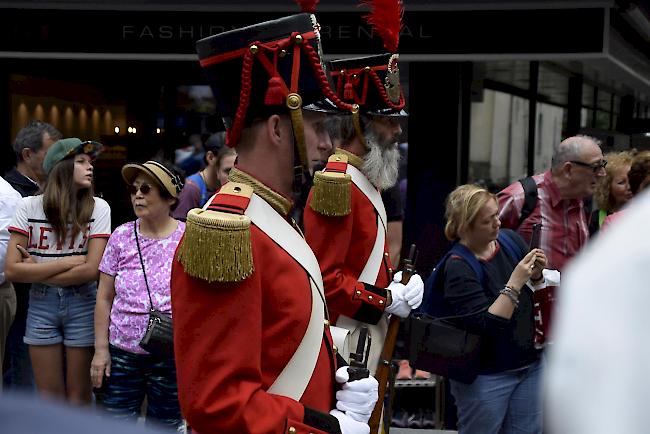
385	17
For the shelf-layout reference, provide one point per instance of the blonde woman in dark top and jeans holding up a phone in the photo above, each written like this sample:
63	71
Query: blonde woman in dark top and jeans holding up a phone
505	396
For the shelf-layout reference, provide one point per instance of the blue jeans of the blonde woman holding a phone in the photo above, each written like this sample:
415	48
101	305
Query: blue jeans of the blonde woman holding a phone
505	403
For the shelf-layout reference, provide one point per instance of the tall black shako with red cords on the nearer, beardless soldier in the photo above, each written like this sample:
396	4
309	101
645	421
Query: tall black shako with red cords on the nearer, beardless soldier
266	68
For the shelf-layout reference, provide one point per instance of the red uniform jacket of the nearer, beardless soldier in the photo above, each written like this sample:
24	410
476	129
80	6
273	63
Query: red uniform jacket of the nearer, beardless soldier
233	339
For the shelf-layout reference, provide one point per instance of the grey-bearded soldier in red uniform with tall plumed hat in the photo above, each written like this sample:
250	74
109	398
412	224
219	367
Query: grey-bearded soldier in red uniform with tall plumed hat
345	220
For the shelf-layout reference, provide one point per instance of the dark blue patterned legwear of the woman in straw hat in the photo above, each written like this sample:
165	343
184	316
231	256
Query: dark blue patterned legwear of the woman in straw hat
134	376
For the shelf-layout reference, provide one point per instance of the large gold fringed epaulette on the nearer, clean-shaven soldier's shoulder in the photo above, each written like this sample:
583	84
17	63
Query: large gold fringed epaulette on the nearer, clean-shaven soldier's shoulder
217	242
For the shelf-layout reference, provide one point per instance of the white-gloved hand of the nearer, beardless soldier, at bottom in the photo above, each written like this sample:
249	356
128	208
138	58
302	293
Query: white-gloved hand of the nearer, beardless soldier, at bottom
356	398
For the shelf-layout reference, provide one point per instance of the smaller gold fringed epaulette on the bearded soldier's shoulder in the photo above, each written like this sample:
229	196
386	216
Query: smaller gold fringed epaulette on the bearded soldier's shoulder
331	194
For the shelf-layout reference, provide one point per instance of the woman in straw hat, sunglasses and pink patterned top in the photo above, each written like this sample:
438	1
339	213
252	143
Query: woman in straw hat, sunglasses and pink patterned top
135	278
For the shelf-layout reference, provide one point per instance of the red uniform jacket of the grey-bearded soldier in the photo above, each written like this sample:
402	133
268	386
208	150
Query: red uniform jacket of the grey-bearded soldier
342	246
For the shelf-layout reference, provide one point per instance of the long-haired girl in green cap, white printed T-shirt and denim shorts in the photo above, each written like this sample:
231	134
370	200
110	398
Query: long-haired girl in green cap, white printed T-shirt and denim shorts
57	240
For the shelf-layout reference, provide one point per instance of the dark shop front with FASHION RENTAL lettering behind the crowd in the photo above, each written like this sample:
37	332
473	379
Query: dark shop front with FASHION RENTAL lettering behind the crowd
491	85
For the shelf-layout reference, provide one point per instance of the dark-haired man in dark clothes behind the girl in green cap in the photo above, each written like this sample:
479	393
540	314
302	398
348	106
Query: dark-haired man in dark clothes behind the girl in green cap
31	145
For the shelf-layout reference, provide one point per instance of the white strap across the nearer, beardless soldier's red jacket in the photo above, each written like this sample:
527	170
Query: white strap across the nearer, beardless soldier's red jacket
295	376
